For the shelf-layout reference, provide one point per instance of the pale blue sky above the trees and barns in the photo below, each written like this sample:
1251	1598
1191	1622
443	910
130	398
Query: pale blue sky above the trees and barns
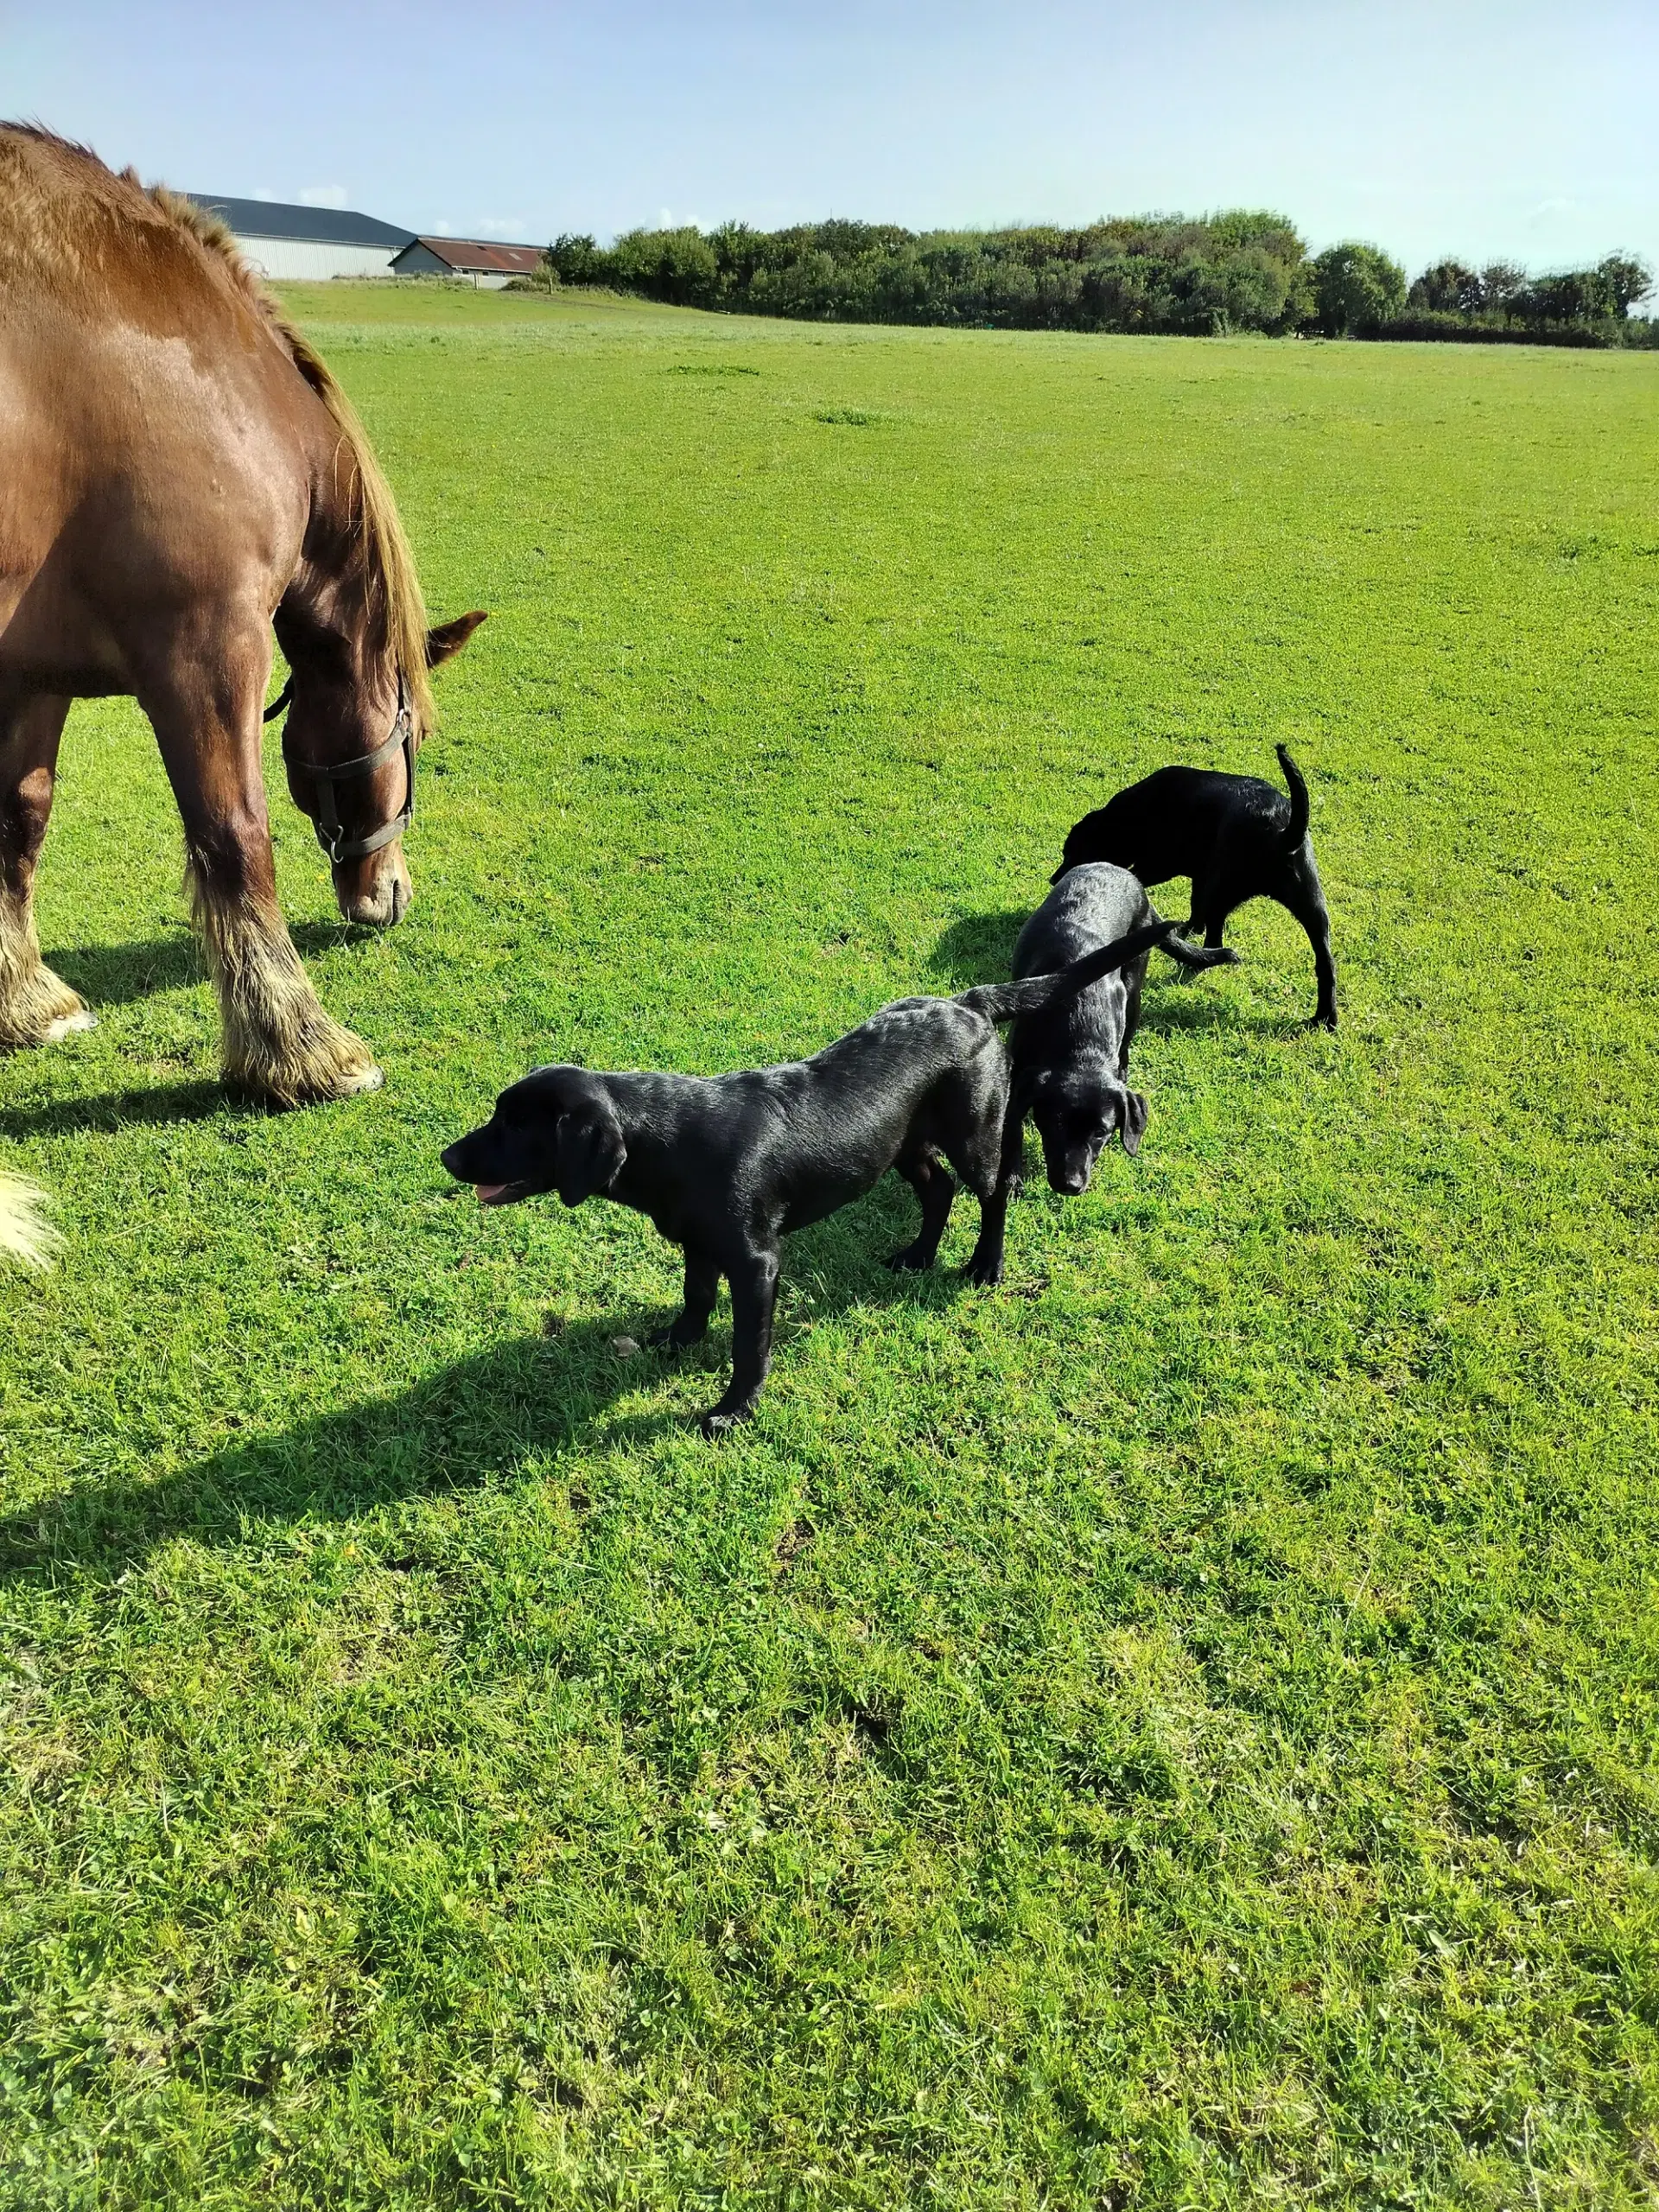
1525	129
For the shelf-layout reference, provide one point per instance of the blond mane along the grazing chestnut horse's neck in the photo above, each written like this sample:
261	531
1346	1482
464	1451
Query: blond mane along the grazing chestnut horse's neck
41	169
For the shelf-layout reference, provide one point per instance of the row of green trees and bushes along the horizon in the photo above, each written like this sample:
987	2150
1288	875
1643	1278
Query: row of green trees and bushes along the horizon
1158	273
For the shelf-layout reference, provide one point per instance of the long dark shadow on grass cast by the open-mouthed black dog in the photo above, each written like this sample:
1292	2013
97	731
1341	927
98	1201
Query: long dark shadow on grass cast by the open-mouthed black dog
468	1423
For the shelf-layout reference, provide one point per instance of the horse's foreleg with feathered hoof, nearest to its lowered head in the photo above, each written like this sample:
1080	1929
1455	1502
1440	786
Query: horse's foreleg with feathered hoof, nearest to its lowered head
278	1041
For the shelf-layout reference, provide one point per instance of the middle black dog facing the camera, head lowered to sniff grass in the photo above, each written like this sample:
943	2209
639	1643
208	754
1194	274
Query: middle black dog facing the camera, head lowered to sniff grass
1072	1058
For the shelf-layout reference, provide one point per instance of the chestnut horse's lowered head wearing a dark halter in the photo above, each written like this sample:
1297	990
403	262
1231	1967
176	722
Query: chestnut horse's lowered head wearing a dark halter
351	751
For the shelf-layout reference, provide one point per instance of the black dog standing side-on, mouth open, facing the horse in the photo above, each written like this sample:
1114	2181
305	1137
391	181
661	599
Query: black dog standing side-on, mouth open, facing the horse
729	1165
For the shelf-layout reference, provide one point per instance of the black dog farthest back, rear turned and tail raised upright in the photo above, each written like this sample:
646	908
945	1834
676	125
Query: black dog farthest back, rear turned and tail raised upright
1235	837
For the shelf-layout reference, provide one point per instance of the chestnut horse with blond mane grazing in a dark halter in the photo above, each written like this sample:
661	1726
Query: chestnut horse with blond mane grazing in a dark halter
180	474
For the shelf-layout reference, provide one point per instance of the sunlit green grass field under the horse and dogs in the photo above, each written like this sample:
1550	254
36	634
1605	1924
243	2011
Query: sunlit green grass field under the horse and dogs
1173	1733
